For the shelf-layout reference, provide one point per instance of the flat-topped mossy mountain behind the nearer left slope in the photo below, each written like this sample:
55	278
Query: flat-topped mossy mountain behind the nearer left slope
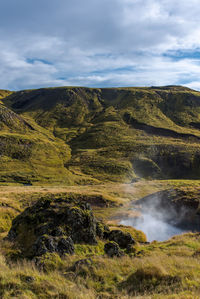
117	134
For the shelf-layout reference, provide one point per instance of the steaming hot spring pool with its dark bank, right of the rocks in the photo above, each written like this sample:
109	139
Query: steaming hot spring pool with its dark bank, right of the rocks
161	217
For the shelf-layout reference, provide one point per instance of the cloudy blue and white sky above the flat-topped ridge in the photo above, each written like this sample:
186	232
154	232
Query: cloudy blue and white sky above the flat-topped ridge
99	43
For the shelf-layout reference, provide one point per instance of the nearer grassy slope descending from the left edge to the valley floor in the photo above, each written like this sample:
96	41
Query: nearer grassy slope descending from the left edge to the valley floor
29	153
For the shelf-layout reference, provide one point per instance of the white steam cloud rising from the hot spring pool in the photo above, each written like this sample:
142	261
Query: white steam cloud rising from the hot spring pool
160	218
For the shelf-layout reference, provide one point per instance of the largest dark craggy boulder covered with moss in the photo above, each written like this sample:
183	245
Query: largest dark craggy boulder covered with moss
54	225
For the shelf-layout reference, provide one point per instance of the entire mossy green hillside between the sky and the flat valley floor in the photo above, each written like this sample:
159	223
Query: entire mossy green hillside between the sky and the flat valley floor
80	135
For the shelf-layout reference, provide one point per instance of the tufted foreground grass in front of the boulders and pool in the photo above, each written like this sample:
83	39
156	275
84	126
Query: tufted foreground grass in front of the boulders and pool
144	275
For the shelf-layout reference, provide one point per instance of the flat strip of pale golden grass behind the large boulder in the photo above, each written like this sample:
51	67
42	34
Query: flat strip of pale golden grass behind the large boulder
108	200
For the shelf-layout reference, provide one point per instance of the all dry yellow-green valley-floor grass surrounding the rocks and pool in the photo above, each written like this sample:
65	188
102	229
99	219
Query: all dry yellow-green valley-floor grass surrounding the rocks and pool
107	278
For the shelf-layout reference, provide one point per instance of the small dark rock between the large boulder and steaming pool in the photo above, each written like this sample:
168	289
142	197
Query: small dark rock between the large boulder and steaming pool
123	239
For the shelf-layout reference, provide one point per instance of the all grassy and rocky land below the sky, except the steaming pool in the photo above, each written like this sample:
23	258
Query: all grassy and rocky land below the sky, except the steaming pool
73	160
